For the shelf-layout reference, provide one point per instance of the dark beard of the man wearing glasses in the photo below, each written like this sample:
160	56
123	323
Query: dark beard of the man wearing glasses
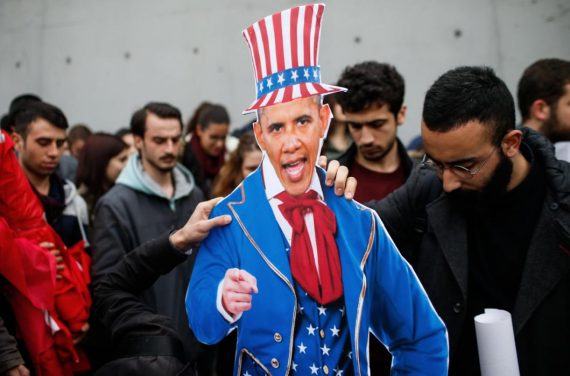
492	193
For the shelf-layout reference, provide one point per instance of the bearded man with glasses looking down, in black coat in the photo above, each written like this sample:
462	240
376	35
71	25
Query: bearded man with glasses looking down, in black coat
485	222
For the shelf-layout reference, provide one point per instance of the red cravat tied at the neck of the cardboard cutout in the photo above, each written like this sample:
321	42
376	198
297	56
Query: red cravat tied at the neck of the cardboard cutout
326	285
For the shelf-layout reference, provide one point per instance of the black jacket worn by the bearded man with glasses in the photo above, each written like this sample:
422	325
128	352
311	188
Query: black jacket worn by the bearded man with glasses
432	235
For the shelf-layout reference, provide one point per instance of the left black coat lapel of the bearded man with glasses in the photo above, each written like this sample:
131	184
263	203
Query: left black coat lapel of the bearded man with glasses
449	227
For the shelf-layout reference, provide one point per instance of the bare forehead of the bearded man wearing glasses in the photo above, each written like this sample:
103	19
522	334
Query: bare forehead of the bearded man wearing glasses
465	141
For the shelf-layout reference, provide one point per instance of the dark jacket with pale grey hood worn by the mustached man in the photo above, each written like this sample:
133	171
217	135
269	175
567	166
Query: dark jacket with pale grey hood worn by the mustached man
135	211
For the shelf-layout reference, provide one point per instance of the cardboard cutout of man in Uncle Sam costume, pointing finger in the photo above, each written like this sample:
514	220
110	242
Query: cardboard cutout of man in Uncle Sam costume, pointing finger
304	275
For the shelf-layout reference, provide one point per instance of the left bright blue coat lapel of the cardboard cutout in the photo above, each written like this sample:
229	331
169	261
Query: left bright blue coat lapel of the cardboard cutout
257	220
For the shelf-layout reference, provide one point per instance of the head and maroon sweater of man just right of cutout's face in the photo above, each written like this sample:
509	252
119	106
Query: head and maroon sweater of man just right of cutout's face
373	109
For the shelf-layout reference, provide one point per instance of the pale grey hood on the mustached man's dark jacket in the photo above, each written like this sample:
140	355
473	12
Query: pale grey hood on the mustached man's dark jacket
134	177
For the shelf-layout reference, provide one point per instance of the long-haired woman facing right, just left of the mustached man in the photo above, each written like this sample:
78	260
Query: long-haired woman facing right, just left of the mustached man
100	163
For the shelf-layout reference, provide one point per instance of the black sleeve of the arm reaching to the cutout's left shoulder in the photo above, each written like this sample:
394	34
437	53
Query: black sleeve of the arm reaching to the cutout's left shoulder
145	343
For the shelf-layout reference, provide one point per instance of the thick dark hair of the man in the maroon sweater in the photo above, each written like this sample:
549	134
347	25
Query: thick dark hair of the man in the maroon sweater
371	83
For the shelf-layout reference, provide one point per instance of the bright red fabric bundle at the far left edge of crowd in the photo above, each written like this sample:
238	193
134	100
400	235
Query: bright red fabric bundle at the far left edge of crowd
33	291
